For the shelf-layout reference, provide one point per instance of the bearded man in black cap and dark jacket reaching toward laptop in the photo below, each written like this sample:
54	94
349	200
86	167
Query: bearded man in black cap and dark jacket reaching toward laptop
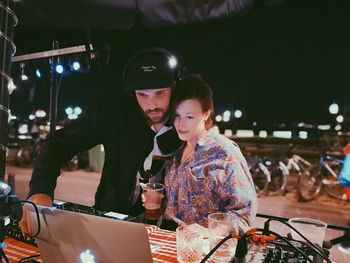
132	128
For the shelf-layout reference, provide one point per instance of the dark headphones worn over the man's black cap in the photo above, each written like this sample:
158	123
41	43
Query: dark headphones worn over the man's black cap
156	51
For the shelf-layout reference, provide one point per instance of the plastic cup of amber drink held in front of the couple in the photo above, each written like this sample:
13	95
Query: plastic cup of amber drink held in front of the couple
153	193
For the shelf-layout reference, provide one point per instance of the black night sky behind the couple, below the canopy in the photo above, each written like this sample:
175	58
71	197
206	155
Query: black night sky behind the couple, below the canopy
281	64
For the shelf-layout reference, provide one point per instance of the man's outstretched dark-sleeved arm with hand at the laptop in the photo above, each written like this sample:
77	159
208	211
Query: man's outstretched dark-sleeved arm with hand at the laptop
58	149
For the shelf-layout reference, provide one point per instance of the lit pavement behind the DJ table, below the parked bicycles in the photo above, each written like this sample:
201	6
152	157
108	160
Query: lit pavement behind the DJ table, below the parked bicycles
80	186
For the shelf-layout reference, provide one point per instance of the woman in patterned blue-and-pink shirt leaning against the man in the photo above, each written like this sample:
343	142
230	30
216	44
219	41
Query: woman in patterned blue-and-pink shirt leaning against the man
209	173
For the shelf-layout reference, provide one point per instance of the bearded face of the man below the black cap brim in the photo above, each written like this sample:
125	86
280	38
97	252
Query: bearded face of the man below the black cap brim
154	103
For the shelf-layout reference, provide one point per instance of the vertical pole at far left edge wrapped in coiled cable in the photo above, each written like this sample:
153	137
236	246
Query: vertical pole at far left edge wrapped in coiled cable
8	21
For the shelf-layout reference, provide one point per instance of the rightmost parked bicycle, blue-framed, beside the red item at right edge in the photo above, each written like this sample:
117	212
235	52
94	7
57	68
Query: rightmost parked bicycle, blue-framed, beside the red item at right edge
322	176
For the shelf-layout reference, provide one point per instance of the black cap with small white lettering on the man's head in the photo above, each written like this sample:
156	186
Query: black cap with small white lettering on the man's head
152	68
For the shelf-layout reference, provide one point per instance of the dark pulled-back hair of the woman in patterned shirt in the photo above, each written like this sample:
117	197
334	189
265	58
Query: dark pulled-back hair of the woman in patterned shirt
193	87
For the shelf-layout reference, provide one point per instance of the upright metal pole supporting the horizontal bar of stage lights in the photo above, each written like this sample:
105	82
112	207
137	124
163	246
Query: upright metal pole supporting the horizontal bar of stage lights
54	90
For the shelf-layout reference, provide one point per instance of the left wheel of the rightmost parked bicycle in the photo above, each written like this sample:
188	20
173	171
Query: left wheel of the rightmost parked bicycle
310	183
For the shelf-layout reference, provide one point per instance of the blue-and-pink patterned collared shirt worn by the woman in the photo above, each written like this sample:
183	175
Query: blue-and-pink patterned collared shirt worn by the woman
215	178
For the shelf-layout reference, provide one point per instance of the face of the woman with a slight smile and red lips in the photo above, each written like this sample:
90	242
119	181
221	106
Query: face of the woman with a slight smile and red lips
190	120
